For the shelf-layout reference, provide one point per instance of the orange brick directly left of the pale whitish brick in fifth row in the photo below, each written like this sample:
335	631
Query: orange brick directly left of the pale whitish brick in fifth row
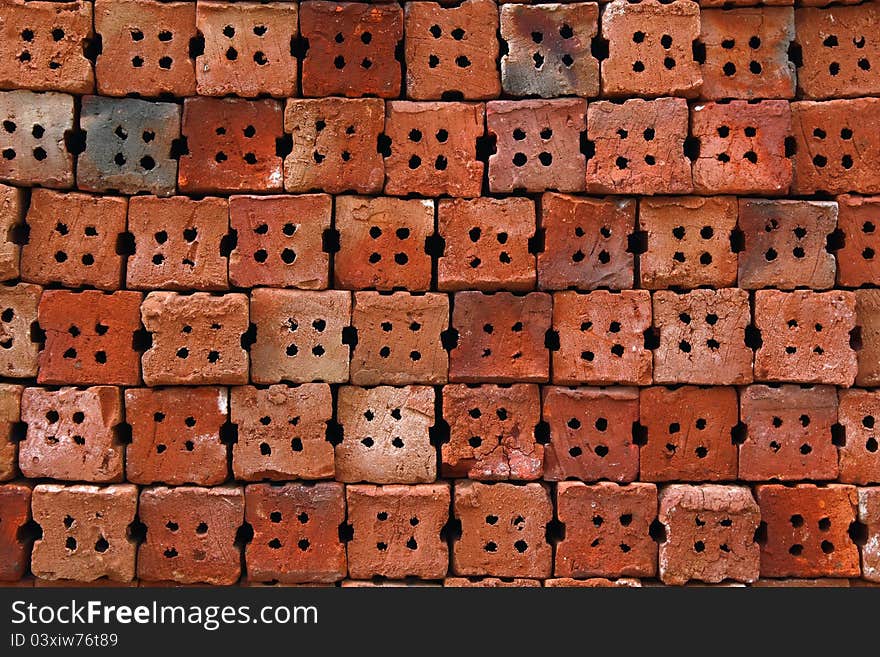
267	446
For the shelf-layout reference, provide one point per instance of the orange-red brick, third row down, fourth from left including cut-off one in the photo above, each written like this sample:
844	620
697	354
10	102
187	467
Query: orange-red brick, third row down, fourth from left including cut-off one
279	241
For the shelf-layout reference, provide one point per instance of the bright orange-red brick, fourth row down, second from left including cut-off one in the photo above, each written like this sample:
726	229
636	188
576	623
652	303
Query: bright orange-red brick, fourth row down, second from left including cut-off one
89	337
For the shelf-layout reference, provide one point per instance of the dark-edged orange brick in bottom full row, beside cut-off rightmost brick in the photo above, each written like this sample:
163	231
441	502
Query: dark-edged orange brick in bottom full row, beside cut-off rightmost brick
807	531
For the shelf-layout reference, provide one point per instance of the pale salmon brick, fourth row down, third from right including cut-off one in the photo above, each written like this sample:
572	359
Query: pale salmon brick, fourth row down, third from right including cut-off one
702	337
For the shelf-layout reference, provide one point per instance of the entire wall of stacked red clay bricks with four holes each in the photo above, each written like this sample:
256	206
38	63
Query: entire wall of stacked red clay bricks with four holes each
478	293
